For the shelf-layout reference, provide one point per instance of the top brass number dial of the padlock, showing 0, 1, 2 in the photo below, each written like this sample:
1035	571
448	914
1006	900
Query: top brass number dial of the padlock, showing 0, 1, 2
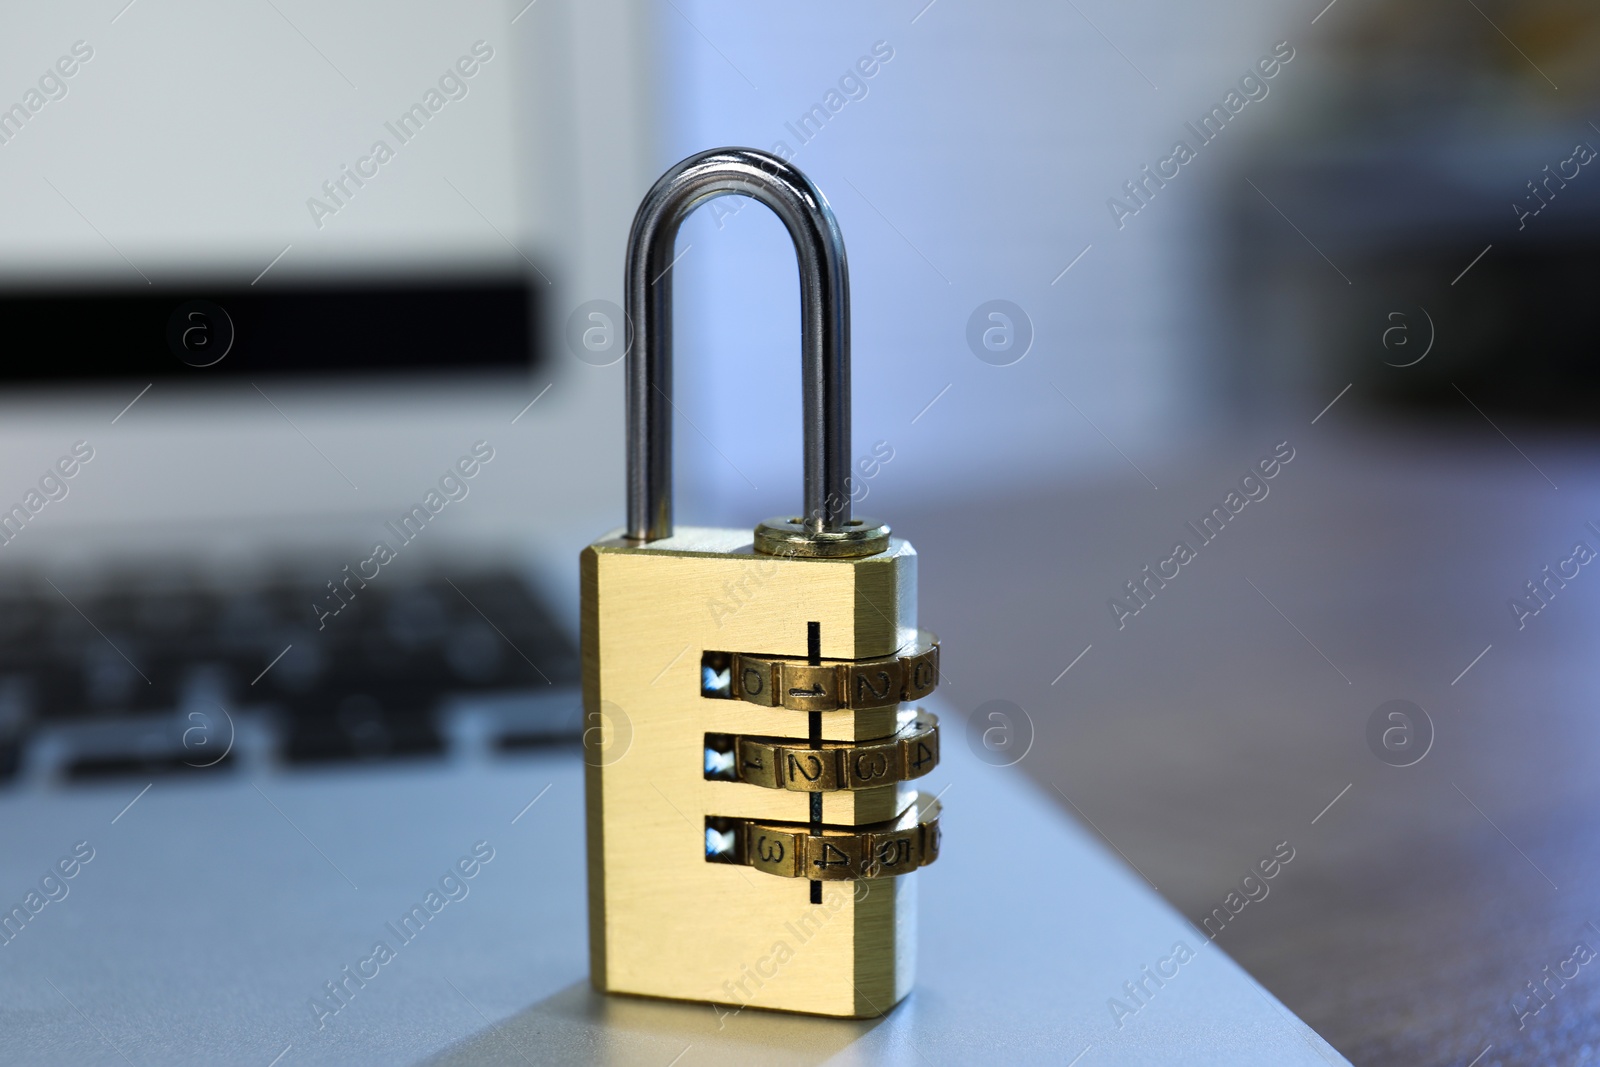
838	685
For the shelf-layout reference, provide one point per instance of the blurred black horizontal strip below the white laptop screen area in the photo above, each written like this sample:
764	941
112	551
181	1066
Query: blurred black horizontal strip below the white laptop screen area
353	326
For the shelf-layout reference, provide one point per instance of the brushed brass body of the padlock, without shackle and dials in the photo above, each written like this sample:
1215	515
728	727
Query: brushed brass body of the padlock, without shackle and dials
663	921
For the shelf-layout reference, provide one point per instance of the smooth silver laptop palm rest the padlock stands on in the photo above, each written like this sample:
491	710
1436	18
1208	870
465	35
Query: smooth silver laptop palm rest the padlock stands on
212	916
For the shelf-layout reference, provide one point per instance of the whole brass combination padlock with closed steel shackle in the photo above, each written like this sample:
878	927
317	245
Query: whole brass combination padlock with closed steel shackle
753	745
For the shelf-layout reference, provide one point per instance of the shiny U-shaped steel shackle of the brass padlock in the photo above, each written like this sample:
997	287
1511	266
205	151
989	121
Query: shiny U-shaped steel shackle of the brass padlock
825	334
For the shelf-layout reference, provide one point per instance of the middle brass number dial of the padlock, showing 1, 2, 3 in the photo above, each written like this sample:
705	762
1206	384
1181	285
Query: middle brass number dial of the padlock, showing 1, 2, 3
794	765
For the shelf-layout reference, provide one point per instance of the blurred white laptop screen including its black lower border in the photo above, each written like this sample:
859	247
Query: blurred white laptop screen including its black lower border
335	193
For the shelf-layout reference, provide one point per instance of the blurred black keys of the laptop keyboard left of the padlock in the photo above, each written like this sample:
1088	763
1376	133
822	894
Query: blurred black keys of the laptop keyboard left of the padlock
138	677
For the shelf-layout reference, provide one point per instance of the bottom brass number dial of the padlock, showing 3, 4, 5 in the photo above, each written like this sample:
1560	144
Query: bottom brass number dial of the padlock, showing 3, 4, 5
874	852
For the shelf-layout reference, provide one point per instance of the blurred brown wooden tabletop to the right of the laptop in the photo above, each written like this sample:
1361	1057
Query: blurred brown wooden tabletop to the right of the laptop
1233	711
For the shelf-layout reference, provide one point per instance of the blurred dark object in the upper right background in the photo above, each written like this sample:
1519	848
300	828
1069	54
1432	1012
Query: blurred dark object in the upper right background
1426	225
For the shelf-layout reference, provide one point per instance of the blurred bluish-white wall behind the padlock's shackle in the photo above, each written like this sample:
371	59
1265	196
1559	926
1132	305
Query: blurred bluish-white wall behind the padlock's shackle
977	167
